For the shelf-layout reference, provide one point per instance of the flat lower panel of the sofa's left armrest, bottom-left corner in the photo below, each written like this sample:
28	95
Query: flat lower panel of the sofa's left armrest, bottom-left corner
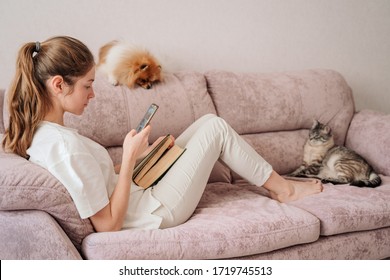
33	234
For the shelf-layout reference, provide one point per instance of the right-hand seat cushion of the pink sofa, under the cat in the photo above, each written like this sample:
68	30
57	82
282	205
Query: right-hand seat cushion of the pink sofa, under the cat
344	208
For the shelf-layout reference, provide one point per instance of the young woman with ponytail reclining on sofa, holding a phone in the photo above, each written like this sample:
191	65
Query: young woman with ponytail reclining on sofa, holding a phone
56	76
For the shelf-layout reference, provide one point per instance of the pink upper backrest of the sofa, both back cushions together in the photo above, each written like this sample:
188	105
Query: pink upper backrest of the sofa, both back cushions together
251	103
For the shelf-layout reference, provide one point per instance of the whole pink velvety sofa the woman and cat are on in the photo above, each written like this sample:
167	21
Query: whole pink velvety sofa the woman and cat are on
273	112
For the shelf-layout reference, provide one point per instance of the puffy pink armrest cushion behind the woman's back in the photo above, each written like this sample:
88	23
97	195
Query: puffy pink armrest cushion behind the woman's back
26	186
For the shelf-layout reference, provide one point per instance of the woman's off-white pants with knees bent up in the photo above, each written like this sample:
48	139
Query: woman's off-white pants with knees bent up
206	140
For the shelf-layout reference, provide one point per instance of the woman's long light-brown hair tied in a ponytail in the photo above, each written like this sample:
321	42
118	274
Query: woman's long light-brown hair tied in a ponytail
28	99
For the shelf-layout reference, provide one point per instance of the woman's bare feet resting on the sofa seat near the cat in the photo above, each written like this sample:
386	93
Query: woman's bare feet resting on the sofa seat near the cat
296	189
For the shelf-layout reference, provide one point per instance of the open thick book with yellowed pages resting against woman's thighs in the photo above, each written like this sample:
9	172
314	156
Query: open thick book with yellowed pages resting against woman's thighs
156	163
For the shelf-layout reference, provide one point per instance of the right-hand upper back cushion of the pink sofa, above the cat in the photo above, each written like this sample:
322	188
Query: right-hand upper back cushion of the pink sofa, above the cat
282	101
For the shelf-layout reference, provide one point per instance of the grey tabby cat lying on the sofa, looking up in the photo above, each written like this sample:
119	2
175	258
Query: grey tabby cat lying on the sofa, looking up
328	162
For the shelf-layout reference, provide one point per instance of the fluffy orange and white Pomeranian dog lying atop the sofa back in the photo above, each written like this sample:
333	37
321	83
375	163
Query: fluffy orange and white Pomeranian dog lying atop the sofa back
126	64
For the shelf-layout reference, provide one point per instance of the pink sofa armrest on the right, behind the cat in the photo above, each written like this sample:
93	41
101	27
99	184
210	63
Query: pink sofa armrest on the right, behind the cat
369	135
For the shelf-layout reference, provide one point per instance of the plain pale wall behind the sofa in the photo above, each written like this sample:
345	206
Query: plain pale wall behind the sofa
350	36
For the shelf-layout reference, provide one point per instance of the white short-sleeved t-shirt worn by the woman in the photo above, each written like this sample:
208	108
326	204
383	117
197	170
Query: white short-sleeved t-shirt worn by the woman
86	170
